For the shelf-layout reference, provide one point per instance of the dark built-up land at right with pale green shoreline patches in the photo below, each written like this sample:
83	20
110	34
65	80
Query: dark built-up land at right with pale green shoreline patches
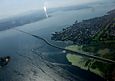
94	36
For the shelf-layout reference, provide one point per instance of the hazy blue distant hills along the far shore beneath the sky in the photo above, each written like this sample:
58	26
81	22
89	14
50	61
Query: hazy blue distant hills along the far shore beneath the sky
33	16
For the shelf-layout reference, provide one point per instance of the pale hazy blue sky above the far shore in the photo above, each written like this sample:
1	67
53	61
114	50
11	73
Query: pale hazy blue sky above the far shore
14	7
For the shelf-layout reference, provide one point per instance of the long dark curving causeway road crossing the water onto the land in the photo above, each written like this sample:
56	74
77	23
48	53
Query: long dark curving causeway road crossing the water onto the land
78	53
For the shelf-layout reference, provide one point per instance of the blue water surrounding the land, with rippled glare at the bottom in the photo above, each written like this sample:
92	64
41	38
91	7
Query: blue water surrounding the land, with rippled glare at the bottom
32	59
